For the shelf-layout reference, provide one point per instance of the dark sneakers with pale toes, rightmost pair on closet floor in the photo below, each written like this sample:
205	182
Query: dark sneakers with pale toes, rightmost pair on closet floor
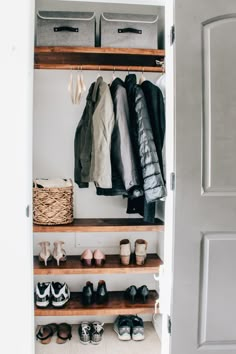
129	327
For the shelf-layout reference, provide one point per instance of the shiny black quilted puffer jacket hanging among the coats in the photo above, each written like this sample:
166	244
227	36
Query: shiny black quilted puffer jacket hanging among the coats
153	183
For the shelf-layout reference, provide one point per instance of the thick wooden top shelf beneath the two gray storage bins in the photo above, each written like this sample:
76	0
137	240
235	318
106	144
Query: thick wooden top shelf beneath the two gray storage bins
96	58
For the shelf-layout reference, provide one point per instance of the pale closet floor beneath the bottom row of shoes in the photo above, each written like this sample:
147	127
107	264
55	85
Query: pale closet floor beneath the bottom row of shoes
110	344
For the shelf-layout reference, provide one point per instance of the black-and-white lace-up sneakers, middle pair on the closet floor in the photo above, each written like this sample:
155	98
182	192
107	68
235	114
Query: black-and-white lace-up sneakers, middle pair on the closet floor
90	332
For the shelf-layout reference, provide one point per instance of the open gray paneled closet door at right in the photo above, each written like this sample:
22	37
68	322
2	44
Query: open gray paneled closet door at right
204	268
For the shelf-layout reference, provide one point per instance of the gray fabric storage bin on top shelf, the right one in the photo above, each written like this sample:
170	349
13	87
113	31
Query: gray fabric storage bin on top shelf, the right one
129	31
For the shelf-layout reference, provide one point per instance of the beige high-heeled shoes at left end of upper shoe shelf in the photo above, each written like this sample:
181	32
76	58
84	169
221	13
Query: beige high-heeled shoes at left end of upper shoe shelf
58	252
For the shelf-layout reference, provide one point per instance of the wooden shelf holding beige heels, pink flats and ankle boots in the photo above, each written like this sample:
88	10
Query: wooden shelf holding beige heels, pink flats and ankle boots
111	266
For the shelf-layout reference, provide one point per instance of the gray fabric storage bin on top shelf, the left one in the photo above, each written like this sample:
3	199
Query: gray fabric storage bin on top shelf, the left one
63	28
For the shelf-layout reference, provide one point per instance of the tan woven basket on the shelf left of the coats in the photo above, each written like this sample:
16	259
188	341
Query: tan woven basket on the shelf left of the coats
52	206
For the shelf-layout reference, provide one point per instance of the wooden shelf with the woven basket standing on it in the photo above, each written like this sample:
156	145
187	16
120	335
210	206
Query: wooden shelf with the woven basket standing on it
102	225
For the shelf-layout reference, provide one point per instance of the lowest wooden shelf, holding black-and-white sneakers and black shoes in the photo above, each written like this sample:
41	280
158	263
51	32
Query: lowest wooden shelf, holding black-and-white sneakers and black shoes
116	305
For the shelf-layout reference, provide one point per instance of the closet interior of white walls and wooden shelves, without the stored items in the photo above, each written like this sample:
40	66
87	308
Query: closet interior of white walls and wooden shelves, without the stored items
100	222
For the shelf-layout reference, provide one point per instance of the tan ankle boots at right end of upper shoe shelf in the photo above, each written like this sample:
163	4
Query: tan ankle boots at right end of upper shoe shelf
140	250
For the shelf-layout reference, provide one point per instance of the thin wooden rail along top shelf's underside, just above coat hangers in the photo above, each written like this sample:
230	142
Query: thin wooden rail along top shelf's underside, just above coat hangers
100	67
